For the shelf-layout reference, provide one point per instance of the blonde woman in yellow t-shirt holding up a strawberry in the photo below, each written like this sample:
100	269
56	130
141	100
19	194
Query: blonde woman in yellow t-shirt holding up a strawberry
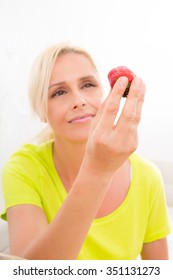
84	193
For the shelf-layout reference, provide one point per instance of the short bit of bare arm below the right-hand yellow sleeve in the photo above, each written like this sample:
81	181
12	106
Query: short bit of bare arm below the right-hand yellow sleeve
157	250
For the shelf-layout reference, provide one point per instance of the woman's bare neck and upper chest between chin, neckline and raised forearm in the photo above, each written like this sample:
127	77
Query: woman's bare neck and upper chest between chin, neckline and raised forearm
68	157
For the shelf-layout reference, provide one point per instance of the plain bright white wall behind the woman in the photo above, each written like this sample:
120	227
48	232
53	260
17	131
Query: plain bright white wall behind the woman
134	33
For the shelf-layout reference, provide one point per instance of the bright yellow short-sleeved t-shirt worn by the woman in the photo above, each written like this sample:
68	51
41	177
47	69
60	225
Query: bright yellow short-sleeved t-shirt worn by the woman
29	177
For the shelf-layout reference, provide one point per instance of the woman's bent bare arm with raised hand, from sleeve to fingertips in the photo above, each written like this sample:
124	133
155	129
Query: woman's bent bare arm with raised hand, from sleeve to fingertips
107	149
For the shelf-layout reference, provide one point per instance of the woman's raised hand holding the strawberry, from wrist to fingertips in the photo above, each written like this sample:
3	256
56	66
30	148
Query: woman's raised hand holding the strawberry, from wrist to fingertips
109	144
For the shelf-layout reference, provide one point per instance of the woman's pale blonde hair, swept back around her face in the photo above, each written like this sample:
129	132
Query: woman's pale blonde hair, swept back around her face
40	78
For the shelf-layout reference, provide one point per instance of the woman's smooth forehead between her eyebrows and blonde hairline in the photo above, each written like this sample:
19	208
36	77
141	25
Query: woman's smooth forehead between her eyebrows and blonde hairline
71	66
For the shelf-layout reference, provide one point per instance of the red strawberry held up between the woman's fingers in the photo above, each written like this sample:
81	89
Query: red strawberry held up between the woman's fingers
120	71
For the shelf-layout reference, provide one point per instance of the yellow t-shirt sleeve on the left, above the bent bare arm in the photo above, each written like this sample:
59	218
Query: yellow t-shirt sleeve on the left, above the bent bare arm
20	178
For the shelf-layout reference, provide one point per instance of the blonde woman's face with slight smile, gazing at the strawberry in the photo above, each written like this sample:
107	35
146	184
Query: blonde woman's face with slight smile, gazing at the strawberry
75	95
